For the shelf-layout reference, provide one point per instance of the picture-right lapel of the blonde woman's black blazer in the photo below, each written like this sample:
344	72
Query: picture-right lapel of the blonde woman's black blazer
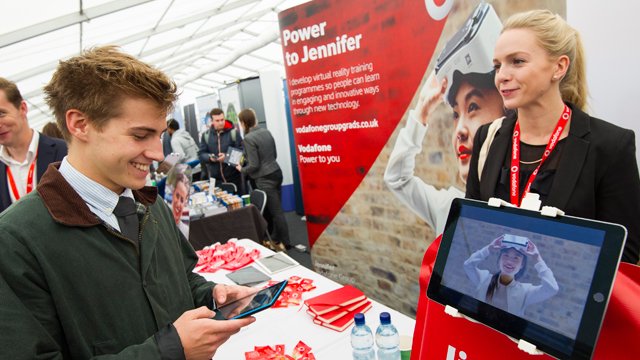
571	161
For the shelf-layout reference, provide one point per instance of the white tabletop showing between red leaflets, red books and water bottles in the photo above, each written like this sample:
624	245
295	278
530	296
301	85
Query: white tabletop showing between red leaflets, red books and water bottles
289	325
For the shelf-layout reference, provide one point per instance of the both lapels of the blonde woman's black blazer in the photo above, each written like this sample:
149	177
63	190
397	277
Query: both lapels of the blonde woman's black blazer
569	168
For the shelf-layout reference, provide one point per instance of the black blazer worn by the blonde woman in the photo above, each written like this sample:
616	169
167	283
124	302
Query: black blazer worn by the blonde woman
597	176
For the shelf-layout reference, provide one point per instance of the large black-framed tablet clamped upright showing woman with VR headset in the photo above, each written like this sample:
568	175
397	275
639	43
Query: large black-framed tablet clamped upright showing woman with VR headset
541	279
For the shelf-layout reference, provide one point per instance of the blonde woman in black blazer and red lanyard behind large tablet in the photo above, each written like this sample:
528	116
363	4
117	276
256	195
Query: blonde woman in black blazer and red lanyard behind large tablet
582	165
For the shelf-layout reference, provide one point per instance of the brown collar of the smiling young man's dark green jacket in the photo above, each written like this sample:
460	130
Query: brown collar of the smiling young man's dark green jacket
67	207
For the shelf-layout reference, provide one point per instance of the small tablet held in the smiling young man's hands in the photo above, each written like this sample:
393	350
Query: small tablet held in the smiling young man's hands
257	301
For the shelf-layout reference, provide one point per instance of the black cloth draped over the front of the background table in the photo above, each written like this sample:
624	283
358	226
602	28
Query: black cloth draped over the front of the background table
245	222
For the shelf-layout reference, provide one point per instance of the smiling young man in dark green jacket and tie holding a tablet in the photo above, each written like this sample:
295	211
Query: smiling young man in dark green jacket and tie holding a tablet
80	277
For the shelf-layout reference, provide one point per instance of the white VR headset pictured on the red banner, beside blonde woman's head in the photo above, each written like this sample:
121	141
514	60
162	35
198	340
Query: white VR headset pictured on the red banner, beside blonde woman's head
470	50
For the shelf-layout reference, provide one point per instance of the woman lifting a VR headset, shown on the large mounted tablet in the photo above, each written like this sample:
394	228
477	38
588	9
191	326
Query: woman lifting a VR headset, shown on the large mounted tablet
502	289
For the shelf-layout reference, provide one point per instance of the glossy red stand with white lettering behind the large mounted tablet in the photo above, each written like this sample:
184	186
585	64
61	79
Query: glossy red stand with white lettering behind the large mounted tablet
440	336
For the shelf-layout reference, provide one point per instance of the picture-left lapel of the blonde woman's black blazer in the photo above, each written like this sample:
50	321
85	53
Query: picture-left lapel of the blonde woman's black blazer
493	166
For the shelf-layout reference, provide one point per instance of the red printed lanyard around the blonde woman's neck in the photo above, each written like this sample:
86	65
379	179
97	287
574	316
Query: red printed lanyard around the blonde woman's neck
515	156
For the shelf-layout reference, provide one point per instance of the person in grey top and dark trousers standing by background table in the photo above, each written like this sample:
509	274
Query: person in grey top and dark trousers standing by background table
265	173
